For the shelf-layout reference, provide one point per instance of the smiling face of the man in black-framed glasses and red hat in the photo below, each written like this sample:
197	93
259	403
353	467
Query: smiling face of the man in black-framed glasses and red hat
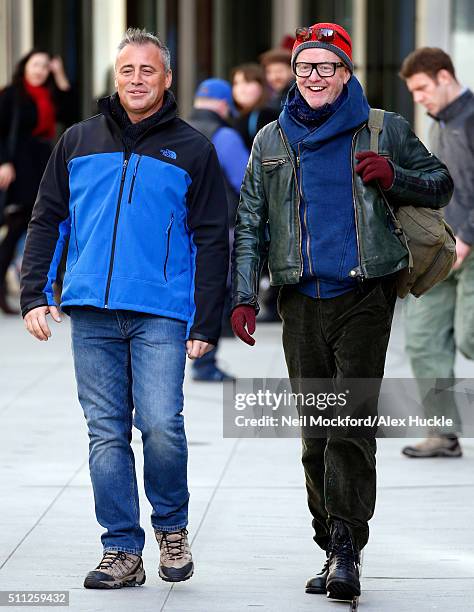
317	90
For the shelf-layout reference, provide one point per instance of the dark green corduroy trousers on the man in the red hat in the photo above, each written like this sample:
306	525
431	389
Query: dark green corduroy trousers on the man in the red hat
342	337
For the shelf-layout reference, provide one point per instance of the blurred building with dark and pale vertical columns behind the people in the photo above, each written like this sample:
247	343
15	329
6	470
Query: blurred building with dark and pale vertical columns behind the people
208	37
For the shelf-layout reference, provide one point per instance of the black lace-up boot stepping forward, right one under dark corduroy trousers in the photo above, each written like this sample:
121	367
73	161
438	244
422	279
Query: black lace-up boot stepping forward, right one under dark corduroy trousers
343	573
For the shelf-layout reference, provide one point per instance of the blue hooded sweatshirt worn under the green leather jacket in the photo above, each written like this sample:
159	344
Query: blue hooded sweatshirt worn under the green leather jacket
329	241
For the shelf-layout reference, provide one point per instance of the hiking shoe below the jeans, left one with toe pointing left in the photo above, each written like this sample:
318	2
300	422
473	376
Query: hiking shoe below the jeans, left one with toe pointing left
116	570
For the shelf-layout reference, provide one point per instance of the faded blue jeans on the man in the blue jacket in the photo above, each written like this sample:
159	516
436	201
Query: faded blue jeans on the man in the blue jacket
126	361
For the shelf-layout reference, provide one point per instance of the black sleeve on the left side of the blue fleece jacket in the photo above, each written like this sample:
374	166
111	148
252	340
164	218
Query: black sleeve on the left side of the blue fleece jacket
47	232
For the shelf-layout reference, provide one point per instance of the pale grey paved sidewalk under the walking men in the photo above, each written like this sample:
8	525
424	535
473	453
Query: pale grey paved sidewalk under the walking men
249	522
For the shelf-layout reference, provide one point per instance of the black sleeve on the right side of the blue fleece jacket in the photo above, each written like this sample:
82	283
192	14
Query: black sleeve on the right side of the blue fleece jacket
208	224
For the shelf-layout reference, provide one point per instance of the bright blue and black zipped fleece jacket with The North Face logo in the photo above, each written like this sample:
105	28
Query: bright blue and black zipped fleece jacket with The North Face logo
146	226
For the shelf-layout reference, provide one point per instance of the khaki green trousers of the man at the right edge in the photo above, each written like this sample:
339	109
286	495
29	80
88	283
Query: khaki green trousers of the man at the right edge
436	325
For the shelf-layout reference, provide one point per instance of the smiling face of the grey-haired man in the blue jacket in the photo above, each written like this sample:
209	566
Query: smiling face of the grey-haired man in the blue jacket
141	80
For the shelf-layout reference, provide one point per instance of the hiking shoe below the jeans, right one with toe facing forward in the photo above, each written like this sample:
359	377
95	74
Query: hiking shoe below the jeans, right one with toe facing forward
176	560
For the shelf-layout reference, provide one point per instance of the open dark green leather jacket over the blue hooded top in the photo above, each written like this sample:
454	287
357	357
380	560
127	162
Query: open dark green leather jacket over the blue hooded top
268	221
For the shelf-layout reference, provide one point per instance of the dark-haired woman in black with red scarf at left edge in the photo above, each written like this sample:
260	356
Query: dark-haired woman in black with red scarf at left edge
29	108
